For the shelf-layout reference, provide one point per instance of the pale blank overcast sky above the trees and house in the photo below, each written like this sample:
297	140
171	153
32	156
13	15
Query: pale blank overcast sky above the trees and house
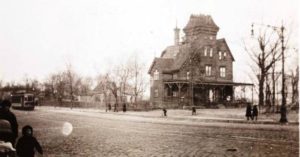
37	37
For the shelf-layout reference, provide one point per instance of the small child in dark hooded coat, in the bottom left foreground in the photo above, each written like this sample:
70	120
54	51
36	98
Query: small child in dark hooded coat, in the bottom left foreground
27	144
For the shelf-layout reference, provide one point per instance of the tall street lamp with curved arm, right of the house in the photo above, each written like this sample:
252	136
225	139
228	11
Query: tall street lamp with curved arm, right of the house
280	31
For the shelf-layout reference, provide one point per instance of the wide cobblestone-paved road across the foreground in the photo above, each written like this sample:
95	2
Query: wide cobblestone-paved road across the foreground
110	134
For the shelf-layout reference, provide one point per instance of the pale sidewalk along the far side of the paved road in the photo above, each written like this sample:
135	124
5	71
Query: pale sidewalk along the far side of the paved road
203	115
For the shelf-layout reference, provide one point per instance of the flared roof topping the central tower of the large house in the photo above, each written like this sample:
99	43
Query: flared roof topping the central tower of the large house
200	21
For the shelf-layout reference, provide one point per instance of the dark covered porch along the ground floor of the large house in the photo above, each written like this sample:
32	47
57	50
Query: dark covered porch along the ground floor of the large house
201	94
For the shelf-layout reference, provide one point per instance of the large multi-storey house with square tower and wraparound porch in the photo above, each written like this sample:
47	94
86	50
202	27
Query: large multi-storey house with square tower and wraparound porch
195	71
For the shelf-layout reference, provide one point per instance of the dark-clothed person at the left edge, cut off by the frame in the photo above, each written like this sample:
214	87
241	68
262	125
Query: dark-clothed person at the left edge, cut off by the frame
6	114
